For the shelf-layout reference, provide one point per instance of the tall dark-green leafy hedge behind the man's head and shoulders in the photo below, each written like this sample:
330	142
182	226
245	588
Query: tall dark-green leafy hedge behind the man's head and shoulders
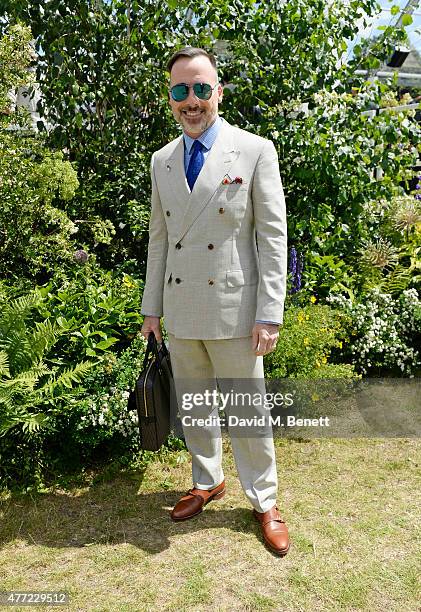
101	68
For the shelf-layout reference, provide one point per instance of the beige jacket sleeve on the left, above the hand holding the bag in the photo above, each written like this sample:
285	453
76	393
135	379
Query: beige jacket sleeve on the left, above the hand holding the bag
152	301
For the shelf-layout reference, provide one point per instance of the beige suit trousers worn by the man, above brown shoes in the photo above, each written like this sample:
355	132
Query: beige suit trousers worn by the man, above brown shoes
200	365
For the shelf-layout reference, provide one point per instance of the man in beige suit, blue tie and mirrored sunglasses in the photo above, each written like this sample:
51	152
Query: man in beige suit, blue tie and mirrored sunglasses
216	271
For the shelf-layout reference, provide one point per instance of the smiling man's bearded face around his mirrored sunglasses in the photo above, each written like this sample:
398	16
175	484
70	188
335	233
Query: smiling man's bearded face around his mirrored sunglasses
193	114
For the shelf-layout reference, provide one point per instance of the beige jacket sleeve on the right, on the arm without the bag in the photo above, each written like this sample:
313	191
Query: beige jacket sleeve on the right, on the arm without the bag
271	234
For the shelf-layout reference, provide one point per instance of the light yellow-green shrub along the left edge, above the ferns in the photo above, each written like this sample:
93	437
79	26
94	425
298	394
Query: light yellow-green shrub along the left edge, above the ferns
35	233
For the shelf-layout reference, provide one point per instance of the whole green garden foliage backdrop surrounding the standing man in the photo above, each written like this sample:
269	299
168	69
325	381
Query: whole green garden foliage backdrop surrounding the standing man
75	198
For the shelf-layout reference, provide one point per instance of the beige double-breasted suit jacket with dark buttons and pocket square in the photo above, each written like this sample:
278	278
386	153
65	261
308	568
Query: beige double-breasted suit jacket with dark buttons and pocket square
217	256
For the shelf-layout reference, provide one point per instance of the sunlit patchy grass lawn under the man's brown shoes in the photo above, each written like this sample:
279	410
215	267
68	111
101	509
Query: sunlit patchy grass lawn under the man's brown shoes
352	508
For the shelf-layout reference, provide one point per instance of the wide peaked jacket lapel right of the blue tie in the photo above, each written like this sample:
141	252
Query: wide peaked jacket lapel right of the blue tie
217	164
